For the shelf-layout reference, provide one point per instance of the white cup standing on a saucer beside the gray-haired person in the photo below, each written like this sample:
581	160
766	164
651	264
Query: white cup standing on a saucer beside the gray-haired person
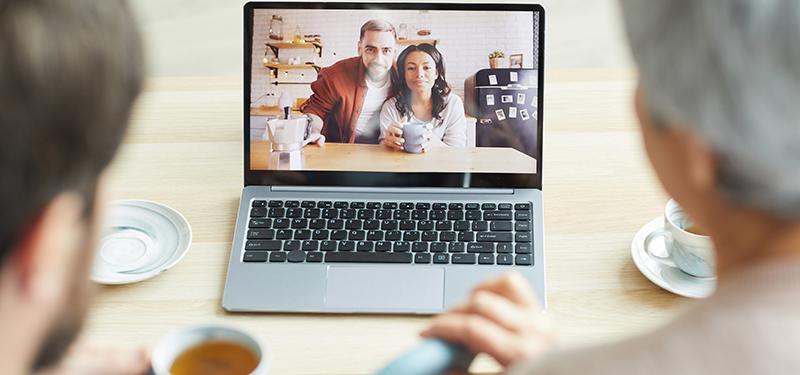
692	253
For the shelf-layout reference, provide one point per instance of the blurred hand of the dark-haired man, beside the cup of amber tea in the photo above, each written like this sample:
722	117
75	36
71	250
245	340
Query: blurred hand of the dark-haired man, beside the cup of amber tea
85	358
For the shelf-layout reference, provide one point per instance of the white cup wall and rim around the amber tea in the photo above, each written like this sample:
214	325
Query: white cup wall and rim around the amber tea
179	341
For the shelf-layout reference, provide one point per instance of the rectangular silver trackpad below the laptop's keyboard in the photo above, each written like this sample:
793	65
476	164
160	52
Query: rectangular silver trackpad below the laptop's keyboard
378	288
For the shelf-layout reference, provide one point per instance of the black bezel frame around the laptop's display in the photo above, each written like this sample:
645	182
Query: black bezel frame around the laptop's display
348	178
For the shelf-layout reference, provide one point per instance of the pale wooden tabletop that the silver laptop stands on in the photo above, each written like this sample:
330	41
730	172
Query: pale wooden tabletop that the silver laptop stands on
184	149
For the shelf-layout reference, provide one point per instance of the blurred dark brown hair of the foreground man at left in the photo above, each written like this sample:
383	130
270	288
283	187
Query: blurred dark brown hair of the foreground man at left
70	70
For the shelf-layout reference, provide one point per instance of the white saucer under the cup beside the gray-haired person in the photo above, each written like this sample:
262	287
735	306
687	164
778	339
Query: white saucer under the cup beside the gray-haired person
669	278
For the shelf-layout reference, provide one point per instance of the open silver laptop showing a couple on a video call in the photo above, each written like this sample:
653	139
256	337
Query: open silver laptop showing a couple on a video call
359	224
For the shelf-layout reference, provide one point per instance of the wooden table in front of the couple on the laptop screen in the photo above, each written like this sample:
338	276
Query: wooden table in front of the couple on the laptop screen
379	158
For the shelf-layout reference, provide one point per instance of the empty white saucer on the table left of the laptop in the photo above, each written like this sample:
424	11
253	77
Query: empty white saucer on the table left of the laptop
140	239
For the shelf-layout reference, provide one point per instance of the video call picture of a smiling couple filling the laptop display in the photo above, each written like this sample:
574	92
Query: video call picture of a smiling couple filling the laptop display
394	91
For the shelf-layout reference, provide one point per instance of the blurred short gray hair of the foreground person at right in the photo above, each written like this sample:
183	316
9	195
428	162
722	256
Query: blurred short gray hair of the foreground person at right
729	70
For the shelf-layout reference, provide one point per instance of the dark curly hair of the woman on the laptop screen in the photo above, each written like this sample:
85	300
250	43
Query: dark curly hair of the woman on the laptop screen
440	88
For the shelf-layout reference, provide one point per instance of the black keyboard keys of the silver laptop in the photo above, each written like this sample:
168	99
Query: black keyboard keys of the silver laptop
389	232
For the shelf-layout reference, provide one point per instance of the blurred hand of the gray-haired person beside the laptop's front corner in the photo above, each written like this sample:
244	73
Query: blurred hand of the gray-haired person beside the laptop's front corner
501	319
